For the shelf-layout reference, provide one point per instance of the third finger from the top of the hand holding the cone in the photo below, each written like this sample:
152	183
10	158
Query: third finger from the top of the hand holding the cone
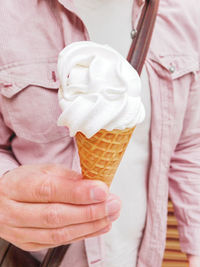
57	236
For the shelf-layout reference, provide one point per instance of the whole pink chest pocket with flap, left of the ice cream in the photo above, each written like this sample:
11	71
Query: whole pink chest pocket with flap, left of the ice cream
29	102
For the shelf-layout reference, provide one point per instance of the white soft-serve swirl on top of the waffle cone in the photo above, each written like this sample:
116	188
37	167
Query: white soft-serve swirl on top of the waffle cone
99	89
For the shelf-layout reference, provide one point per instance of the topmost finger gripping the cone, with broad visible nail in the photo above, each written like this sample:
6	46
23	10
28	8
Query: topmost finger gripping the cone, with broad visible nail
44	185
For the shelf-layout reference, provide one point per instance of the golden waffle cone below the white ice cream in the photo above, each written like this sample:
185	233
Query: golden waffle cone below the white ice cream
101	154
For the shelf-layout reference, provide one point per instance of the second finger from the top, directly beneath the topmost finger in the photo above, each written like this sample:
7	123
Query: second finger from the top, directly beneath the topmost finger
59	215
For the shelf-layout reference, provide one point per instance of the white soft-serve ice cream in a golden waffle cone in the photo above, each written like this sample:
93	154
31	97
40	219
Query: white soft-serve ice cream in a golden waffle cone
99	94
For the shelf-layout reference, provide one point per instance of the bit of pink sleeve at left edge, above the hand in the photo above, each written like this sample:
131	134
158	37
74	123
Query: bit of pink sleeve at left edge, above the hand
7	159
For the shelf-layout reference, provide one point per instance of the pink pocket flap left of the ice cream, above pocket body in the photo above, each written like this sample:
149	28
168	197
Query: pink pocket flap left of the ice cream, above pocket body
16	78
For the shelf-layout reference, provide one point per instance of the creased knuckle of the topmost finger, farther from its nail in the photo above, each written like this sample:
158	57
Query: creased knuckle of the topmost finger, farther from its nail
44	190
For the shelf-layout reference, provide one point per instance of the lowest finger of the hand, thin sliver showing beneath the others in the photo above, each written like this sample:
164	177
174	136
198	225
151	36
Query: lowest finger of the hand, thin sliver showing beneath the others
37	247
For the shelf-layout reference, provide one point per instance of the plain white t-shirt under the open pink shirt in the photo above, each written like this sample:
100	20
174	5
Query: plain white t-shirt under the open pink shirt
109	22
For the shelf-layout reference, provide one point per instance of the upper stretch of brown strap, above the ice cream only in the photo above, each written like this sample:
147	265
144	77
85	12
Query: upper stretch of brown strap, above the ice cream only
143	34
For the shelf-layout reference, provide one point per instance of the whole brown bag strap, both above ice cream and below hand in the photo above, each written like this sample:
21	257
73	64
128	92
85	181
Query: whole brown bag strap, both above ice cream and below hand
136	56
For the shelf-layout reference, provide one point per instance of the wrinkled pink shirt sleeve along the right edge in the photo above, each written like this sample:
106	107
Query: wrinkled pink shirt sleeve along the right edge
184	175
